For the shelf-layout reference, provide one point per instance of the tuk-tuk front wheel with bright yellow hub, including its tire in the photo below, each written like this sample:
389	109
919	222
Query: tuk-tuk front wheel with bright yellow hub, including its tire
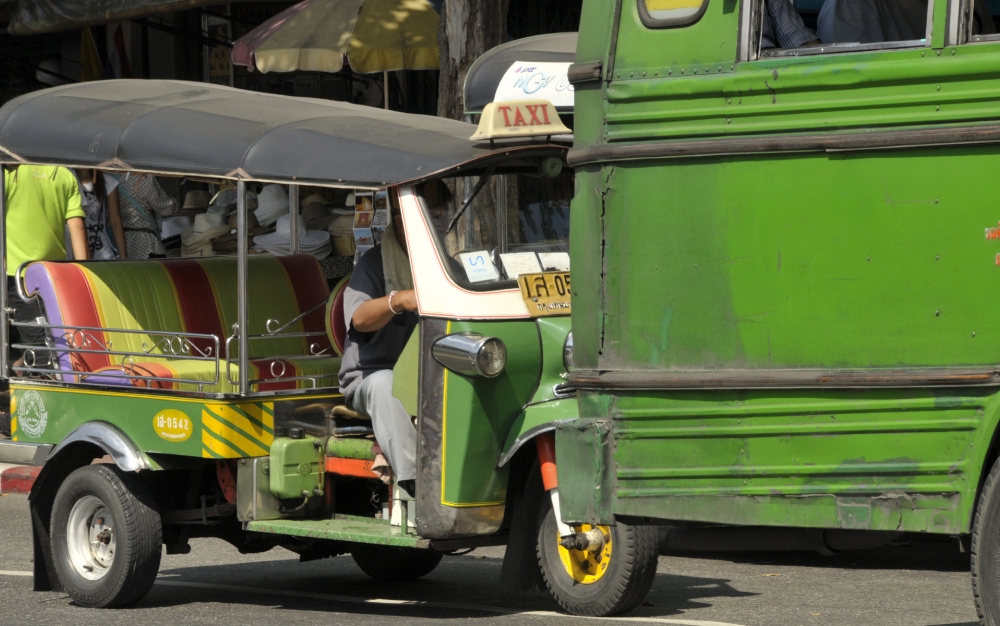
610	580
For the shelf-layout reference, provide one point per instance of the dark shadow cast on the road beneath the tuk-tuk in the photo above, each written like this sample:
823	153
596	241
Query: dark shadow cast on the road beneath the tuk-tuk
461	588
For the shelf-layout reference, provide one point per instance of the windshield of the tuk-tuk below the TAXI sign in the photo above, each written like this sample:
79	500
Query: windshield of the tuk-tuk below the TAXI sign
491	228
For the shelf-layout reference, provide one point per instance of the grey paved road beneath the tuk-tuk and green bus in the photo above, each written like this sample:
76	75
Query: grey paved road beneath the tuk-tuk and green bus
916	583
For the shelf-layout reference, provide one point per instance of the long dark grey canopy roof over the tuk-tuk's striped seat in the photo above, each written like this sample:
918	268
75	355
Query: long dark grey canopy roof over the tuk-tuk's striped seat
184	128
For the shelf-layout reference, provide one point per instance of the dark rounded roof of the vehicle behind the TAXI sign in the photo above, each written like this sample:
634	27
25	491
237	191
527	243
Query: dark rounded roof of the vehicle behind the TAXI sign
485	74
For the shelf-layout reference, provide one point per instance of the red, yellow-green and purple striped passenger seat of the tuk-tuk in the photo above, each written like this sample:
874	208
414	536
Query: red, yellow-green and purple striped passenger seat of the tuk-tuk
187	296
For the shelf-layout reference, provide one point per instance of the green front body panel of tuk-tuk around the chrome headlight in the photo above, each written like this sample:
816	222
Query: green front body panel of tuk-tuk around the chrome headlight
479	413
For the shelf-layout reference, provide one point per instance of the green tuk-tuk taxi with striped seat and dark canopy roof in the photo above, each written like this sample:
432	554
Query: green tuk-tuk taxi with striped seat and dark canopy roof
199	397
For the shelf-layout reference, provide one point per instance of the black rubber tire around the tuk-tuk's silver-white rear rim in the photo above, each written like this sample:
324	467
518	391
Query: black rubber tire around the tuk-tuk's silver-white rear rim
137	559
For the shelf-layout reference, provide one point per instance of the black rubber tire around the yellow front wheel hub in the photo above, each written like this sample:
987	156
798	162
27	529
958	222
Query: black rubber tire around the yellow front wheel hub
624	585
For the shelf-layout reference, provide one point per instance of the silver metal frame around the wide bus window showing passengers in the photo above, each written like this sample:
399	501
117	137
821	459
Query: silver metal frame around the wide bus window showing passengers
751	19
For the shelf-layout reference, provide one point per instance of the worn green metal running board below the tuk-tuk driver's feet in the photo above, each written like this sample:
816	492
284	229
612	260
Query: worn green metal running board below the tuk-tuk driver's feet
343	528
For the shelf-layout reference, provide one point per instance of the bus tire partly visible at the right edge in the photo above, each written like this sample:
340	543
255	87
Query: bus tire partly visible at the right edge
985	551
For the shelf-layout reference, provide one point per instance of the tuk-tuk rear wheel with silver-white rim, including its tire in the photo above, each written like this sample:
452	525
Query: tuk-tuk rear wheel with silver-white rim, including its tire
105	536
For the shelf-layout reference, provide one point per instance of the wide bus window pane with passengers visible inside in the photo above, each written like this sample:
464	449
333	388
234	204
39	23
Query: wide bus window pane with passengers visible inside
827	26
